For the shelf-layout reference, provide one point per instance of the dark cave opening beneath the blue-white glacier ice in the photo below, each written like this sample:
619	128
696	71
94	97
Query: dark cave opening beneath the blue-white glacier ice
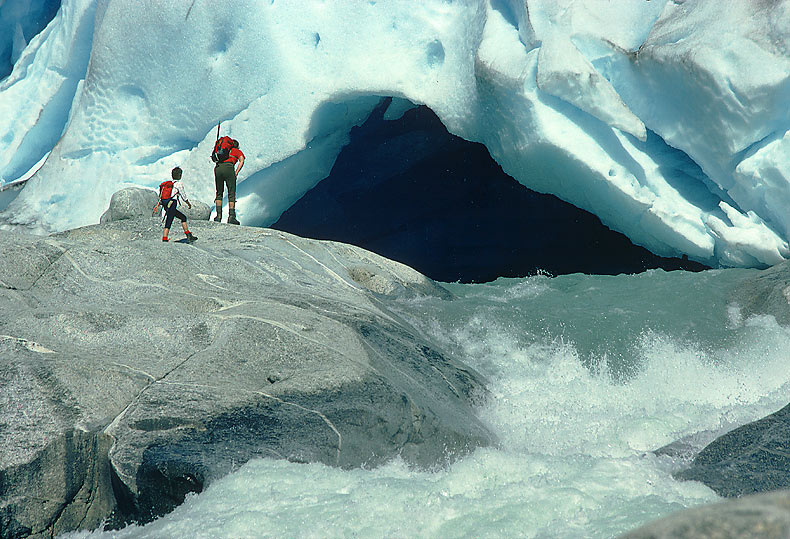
409	190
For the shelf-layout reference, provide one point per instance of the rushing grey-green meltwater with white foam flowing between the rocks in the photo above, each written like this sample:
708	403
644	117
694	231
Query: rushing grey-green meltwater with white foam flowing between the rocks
587	376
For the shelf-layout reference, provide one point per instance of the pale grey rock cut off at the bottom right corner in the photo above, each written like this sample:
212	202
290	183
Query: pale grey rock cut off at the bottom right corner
760	516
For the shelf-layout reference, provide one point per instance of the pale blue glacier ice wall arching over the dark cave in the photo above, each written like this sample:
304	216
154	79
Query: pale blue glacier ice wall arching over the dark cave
667	119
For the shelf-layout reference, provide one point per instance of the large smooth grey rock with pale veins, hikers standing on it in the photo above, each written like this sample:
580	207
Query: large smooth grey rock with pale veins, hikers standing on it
135	371
